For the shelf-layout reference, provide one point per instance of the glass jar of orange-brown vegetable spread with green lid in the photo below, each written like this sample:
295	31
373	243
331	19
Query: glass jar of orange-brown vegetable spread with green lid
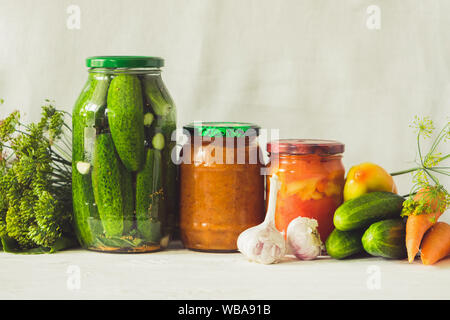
222	188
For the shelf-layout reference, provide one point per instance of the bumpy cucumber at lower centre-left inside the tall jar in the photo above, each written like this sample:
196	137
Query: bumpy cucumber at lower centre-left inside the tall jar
111	187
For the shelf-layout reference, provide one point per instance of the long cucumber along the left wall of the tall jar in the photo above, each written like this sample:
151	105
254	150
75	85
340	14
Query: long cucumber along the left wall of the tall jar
85	211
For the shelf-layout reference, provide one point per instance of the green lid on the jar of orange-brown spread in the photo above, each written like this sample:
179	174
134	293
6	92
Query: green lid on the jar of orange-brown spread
222	129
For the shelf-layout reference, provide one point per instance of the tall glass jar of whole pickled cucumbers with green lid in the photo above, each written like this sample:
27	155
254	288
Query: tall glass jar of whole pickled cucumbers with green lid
124	182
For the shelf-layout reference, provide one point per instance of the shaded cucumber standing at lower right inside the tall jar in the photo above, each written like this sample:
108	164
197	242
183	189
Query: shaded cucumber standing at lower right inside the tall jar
149	197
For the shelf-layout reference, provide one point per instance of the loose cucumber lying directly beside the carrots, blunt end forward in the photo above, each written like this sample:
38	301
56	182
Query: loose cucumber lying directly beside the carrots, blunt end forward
386	239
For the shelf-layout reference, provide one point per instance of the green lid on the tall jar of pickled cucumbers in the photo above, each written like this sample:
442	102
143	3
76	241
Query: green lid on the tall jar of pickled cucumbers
124	62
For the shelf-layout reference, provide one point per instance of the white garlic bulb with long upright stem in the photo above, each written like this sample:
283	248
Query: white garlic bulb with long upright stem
264	243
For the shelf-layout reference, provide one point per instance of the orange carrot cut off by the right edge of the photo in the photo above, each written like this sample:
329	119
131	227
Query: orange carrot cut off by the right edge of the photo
436	243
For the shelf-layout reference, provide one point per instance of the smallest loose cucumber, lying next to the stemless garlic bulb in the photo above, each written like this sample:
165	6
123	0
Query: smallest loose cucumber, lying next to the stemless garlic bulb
343	244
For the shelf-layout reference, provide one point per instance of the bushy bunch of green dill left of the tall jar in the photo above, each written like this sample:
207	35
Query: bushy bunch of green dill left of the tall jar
35	180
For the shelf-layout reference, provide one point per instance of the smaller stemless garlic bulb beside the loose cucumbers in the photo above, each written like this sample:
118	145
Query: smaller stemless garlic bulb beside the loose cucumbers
303	238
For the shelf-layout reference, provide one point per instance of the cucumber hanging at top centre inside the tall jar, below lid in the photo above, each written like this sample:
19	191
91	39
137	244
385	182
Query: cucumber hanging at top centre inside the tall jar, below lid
126	119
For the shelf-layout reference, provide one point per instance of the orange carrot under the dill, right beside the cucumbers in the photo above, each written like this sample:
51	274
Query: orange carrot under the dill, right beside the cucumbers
417	225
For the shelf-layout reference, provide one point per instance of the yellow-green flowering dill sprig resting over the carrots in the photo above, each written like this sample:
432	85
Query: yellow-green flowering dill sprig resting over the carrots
430	166
